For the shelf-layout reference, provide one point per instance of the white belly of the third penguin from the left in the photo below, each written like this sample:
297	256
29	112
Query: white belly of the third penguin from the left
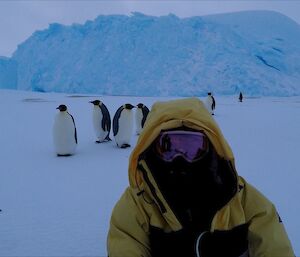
125	128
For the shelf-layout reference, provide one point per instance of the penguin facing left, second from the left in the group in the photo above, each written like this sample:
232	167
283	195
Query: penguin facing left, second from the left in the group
101	121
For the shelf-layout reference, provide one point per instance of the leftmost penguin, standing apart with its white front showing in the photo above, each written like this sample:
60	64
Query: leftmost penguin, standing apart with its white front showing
64	132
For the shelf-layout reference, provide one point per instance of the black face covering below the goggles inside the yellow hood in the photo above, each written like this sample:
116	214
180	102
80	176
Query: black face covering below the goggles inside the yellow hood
194	191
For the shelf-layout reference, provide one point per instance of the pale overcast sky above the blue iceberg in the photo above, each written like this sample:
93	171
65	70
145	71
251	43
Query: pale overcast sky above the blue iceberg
19	19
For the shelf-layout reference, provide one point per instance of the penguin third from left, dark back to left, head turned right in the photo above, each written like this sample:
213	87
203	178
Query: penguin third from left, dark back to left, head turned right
123	125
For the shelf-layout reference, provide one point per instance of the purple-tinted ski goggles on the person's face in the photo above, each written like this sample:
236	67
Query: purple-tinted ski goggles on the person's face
191	145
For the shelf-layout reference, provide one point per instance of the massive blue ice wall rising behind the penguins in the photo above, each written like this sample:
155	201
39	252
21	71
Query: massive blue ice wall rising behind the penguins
257	52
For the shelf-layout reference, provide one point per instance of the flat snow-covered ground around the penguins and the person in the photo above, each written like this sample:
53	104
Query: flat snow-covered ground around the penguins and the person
54	206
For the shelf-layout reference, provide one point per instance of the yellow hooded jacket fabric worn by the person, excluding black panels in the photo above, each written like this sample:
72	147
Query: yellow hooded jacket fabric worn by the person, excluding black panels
135	212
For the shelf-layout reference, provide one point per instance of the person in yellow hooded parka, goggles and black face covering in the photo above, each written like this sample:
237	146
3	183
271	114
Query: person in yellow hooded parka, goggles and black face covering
185	197
